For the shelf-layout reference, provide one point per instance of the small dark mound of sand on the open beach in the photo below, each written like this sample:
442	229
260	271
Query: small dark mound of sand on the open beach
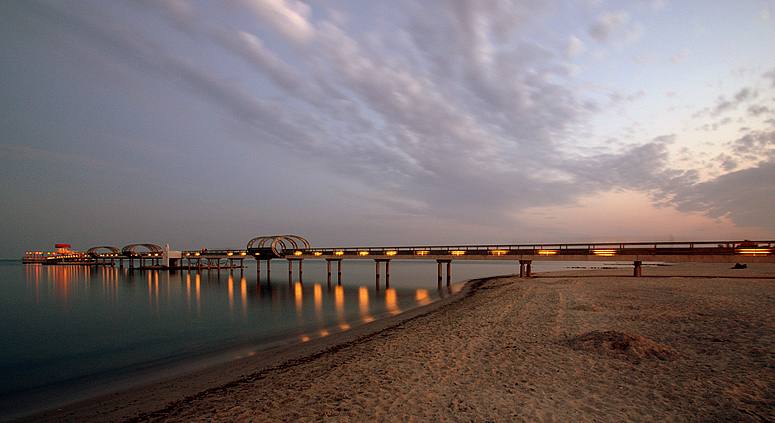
621	345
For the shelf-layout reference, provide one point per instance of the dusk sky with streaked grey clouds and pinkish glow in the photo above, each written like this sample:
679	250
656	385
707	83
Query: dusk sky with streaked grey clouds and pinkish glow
204	124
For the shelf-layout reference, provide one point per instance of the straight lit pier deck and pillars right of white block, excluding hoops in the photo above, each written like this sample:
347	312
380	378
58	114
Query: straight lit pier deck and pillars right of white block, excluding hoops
525	254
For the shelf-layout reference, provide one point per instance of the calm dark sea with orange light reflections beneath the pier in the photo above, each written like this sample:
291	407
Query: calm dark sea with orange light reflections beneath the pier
73	332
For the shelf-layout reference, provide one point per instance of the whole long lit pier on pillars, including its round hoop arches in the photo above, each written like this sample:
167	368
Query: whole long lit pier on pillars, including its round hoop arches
295	249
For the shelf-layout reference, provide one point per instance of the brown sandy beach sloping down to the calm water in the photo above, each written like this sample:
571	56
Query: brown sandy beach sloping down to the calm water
686	342
